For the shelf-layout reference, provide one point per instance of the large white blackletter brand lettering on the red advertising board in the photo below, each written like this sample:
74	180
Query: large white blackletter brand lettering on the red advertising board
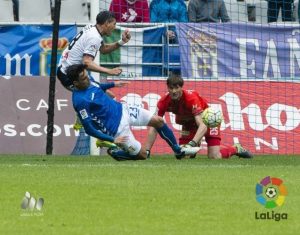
257	119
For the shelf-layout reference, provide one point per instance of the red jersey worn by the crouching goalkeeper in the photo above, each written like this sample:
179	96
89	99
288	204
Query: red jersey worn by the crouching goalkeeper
189	105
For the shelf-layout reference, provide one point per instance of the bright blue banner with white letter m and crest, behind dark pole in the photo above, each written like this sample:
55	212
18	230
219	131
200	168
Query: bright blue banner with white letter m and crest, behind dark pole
25	50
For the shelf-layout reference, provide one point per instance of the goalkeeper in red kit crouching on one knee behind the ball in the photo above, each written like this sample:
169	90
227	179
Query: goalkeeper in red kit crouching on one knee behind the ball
187	105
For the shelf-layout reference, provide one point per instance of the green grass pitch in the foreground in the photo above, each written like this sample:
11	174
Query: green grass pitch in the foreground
97	195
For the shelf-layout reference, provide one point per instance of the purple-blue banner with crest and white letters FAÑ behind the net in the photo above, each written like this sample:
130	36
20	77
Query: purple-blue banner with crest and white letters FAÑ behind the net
239	50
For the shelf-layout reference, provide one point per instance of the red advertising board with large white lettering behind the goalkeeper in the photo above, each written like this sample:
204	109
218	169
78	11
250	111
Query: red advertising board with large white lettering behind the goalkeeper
255	113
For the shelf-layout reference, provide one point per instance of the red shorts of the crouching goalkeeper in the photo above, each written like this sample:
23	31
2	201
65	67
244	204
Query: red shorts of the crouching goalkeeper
212	136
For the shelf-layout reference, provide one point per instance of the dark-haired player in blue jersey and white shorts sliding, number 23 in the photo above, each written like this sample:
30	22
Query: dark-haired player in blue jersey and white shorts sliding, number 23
109	120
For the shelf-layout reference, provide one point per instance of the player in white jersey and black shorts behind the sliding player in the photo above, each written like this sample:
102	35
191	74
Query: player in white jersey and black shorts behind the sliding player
85	45
